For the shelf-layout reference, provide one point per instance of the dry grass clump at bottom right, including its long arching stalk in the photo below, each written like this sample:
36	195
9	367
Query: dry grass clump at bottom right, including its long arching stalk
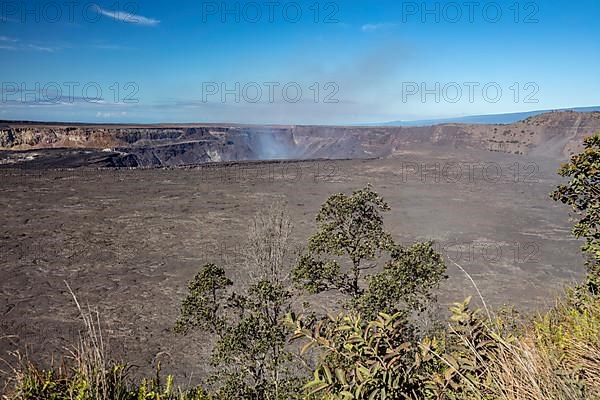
553	356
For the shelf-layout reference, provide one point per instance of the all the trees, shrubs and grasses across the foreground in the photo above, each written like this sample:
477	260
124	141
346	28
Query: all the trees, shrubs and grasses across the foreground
384	343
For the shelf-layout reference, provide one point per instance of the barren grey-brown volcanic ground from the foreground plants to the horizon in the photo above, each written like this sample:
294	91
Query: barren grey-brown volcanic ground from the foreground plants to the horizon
128	240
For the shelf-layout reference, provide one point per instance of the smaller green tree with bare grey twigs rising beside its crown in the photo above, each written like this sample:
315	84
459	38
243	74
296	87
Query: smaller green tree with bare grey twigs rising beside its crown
250	353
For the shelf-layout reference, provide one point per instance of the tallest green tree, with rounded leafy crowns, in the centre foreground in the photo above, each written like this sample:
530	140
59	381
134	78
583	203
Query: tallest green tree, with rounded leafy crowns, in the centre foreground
350	240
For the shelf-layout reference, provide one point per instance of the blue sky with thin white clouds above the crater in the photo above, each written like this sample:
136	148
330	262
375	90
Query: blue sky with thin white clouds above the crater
301	62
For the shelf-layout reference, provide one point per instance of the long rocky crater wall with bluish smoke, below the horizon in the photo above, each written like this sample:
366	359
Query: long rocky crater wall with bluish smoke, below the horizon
556	135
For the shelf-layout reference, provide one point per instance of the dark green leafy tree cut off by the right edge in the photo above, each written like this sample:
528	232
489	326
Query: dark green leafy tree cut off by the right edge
582	193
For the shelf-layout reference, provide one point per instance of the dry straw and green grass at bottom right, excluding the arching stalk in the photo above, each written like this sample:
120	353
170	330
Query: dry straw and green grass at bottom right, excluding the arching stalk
555	357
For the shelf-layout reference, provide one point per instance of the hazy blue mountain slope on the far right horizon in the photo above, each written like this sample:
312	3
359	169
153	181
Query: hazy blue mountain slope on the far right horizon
508	118
